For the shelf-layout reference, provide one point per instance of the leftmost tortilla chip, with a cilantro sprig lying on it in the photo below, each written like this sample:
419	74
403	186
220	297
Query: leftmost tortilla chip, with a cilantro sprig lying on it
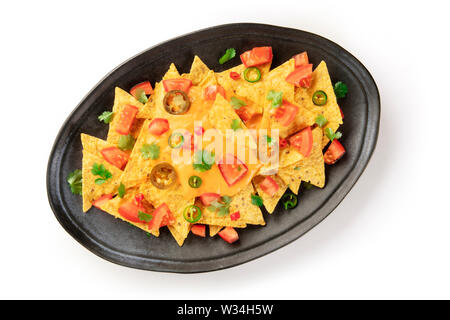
92	191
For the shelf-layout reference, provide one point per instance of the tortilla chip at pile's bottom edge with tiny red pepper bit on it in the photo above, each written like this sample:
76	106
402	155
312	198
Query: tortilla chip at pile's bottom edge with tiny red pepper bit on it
249	213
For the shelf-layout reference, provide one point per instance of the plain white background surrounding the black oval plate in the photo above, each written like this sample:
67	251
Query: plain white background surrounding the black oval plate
389	238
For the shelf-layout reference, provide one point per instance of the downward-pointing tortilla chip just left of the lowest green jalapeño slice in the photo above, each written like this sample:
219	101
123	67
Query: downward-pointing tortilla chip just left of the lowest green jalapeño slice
176	203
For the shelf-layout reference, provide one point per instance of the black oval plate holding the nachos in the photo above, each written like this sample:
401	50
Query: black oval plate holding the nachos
117	242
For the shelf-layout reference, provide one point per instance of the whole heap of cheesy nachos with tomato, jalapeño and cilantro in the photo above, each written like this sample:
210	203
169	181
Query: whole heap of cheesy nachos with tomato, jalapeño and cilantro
193	151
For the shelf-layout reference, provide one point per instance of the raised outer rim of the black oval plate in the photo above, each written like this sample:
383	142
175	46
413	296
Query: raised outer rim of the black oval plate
262	249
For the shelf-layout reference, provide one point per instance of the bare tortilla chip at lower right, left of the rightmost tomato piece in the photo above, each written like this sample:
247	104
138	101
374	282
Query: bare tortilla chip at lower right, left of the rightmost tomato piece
311	169
